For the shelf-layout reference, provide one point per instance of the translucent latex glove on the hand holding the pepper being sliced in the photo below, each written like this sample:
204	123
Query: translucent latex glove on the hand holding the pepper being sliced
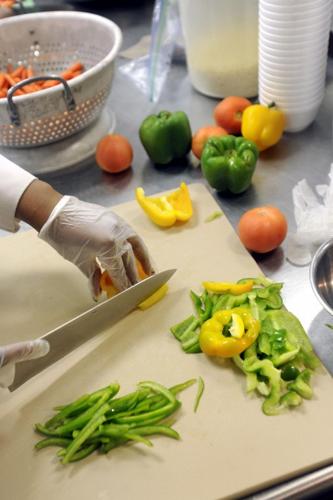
91	236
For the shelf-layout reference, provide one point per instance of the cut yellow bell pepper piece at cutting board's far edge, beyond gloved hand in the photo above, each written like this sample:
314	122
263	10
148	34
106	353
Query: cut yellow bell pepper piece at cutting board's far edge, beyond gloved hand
165	210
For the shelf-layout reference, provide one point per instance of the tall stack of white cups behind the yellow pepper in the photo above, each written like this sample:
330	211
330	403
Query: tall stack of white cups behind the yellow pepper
293	46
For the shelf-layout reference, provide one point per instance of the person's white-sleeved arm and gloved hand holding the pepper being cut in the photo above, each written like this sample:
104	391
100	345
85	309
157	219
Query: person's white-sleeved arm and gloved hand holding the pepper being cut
90	236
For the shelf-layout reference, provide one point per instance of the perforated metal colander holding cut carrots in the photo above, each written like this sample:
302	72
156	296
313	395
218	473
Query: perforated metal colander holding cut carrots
50	42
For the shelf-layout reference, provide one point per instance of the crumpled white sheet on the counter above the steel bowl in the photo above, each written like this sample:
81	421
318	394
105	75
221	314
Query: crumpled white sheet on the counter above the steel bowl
313	210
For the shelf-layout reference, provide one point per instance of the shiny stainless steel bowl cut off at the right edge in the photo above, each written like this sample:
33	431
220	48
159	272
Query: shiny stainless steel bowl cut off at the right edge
321	275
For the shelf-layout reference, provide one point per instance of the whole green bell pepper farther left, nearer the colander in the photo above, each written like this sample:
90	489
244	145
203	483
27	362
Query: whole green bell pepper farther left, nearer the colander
166	136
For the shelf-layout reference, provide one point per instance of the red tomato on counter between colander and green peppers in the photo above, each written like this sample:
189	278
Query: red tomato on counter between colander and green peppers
114	153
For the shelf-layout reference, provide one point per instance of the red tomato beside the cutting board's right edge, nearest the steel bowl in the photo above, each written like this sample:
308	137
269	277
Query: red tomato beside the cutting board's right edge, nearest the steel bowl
262	229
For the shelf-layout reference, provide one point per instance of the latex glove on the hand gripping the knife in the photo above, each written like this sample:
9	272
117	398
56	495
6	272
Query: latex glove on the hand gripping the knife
15	353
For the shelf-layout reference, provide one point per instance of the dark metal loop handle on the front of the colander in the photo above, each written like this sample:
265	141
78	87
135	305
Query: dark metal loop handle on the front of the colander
12	108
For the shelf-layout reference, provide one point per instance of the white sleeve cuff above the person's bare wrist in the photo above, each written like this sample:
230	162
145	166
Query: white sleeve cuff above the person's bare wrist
13	182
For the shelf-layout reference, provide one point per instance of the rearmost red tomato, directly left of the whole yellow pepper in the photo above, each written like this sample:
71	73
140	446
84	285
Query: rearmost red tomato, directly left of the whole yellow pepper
228	113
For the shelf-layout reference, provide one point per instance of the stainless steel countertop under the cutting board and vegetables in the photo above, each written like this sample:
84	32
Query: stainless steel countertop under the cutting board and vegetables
303	155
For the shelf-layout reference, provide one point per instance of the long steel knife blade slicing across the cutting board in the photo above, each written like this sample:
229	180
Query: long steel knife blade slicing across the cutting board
85	326
